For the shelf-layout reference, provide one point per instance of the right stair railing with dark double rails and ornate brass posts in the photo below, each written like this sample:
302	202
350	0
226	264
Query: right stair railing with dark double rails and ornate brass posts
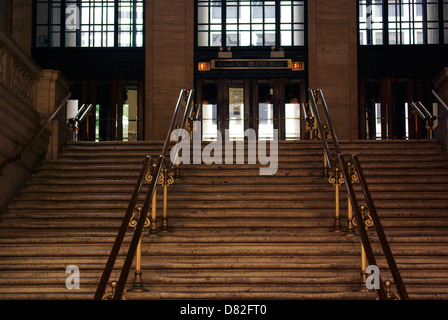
342	172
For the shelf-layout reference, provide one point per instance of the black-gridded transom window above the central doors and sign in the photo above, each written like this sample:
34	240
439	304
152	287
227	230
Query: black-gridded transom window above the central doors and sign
250	23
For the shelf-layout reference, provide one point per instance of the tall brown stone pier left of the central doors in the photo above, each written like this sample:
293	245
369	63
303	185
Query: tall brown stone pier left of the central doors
169	61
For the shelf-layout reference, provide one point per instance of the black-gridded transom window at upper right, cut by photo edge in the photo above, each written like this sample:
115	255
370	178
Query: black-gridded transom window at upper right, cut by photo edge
403	22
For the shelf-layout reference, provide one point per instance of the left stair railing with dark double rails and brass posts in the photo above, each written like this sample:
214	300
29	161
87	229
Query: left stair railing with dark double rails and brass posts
162	164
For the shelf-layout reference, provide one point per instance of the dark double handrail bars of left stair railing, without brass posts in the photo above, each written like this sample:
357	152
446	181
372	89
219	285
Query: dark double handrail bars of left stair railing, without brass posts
162	161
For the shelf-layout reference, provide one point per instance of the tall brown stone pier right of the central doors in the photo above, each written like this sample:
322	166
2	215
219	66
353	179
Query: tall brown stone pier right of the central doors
332	50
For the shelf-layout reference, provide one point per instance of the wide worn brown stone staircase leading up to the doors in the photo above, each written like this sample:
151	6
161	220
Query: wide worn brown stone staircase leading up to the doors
233	234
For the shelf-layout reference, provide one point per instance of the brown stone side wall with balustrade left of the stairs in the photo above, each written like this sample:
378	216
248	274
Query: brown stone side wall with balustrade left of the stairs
27	97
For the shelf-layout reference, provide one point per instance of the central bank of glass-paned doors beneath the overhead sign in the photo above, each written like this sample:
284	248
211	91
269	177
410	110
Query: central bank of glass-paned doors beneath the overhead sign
263	105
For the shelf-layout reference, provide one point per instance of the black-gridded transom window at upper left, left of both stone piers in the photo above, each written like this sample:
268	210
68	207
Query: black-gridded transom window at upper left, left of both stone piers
89	23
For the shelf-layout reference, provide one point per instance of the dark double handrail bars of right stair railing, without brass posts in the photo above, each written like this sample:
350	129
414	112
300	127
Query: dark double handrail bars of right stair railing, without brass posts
342	165
